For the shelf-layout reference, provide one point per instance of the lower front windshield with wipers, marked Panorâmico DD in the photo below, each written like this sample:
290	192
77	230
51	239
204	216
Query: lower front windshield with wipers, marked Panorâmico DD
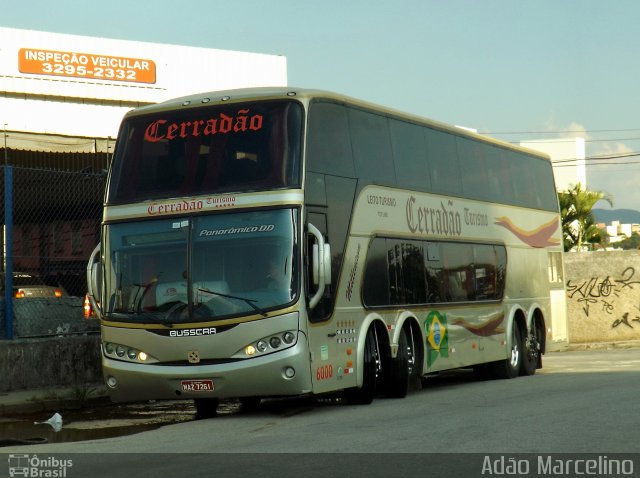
201	268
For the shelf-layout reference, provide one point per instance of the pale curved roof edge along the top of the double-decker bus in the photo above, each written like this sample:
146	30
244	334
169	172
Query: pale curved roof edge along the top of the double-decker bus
306	95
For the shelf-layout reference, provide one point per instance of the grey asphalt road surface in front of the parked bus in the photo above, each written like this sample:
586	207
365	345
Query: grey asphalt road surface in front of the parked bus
581	402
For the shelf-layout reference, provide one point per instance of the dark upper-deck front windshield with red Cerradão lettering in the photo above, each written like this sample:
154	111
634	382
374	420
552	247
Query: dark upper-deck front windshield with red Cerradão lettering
230	148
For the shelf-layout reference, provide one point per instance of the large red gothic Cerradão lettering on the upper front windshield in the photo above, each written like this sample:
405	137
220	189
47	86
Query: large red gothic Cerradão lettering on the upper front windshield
162	129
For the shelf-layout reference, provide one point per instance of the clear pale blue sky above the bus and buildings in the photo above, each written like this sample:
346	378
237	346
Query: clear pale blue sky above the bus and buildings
512	69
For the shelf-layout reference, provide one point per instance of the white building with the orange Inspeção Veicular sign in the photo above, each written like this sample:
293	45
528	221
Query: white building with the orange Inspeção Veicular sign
77	86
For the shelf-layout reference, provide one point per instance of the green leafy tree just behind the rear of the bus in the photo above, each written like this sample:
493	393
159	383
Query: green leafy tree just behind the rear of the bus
578	222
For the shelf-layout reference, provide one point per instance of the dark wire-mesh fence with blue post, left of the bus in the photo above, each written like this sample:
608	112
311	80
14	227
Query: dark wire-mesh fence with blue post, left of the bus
51	223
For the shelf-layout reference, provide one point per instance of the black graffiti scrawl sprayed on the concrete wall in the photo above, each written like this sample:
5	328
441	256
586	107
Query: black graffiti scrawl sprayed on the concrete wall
599	294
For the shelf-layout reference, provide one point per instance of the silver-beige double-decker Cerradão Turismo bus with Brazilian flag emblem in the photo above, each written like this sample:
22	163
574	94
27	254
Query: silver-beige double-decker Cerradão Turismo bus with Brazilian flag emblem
283	242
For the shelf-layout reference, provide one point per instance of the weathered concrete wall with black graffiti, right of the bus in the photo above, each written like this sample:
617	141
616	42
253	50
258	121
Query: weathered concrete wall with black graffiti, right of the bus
603	296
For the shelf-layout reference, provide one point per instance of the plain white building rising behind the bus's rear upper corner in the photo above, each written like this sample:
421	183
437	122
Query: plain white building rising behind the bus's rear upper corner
568	158
